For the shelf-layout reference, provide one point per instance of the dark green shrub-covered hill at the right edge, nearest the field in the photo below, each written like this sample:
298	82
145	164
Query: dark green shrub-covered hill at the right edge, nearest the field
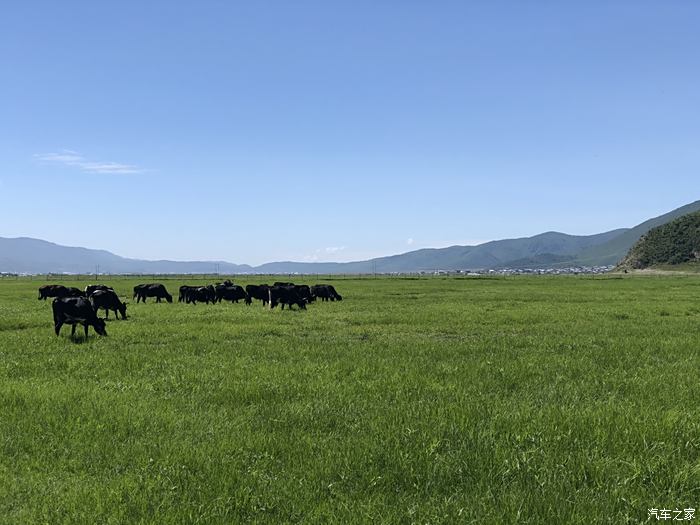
674	243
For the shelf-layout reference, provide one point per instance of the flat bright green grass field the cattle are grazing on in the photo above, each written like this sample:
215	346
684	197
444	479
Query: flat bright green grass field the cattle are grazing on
528	400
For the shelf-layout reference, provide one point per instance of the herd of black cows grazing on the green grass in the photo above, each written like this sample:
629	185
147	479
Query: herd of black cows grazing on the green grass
74	306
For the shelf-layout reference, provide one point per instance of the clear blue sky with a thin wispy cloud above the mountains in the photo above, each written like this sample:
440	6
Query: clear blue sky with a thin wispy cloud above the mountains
260	131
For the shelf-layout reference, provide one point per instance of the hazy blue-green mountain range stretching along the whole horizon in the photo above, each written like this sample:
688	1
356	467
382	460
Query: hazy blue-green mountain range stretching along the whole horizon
546	250
